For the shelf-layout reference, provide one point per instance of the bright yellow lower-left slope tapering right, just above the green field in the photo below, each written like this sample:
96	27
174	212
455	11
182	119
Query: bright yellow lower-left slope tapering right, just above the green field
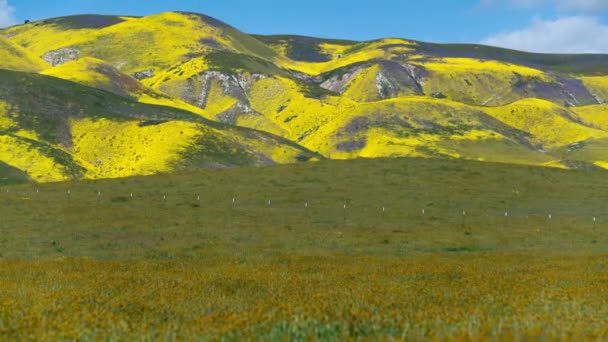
126	148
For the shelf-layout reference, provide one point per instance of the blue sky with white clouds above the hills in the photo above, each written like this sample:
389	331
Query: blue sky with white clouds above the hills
554	26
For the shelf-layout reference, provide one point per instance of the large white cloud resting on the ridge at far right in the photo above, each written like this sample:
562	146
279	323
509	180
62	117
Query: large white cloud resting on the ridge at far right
575	34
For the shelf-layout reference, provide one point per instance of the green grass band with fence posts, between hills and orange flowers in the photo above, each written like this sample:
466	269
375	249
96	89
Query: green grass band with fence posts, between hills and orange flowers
116	226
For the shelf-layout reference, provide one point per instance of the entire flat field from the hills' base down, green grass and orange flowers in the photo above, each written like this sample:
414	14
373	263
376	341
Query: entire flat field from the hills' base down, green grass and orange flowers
332	250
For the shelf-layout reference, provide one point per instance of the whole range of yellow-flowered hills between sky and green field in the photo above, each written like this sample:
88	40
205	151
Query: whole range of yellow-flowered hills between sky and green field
110	96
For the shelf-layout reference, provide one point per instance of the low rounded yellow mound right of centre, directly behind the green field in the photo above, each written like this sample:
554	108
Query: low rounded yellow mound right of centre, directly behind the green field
415	126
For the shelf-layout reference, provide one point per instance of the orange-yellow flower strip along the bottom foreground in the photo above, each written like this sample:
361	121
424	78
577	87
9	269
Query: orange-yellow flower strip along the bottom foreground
332	297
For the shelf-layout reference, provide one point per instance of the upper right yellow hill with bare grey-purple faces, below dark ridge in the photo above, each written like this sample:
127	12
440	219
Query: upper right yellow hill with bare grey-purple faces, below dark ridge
466	80
